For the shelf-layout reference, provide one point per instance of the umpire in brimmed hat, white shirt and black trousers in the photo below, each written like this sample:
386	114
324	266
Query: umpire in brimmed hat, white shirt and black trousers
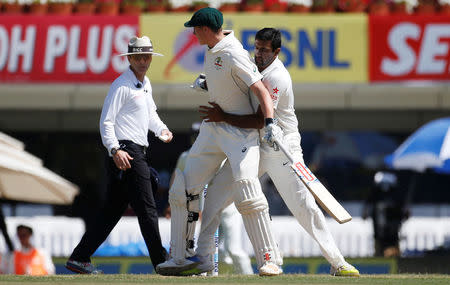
128	113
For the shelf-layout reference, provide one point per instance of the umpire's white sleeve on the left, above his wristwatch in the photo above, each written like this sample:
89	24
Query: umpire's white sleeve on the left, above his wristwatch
111	108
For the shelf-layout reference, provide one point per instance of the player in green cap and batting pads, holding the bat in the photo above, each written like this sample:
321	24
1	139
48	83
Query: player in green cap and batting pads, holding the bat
231	75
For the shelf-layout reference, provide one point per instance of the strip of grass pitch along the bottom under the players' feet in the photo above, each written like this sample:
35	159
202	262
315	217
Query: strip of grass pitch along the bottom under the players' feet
227	279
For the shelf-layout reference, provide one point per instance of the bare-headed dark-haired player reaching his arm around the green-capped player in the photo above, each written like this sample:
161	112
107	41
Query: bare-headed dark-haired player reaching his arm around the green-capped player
295	194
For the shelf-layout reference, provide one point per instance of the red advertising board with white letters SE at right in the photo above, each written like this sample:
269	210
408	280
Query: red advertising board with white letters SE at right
409	48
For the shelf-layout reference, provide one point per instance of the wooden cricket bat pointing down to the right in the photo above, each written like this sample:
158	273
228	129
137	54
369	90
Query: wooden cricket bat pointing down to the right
320	193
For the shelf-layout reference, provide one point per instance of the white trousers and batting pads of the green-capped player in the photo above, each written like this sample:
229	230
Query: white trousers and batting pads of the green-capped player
215	142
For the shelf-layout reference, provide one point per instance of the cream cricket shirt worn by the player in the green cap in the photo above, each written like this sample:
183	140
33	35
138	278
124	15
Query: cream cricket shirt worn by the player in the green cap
230	72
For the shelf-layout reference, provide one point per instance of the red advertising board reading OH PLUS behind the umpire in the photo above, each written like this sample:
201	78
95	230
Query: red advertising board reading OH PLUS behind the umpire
64	48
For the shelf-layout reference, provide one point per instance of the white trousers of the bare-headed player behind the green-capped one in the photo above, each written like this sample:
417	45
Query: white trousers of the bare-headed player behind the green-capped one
296	196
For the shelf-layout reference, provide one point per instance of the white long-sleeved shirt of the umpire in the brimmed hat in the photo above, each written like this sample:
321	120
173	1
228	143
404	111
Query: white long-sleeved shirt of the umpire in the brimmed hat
129	112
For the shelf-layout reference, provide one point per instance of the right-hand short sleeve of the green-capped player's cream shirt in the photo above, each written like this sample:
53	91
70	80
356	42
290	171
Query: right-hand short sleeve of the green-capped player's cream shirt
244	68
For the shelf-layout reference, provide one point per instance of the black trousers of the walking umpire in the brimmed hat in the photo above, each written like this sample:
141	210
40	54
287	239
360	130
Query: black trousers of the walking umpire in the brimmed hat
132	187
